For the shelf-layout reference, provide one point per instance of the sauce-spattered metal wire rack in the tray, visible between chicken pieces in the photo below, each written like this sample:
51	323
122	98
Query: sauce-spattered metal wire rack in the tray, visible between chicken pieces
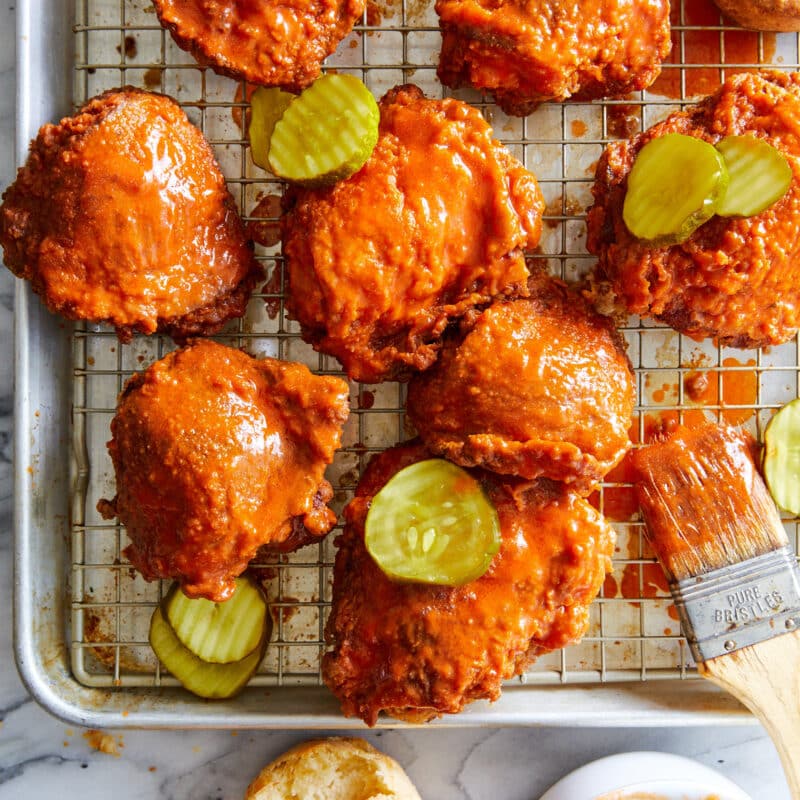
634	634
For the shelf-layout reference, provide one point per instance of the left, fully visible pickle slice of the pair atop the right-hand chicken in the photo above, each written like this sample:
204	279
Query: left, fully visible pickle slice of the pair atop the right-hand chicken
674	186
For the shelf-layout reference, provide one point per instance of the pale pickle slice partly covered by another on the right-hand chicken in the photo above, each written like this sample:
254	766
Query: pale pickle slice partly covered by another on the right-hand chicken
759	176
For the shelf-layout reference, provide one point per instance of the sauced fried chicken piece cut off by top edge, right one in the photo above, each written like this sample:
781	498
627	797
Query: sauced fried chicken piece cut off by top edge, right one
528	52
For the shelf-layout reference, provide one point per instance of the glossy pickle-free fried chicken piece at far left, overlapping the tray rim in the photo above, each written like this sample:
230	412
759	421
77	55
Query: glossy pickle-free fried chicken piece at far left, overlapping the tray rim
121	215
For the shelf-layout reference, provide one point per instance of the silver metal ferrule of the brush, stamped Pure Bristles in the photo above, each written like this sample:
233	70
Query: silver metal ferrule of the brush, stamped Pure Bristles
739	604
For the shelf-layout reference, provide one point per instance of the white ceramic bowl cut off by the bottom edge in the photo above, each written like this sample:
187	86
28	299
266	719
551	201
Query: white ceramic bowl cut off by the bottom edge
636	776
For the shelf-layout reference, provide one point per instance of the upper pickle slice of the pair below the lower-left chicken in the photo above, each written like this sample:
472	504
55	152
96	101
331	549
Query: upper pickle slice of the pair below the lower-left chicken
219	632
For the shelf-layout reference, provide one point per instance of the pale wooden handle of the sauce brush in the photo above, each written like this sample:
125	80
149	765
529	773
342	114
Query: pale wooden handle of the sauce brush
766	678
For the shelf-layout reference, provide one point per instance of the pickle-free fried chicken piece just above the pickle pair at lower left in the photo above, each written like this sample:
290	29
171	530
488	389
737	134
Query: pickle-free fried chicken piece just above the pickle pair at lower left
216	454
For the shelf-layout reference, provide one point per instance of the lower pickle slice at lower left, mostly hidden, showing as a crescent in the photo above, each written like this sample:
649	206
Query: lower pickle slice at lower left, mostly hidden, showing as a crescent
213	681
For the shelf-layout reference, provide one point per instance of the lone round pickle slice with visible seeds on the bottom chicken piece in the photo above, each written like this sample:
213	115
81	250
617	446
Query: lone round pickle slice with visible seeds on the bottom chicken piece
432	523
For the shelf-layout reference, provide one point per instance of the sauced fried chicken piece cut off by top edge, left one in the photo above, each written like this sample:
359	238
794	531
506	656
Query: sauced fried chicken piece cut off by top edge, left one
261	41
